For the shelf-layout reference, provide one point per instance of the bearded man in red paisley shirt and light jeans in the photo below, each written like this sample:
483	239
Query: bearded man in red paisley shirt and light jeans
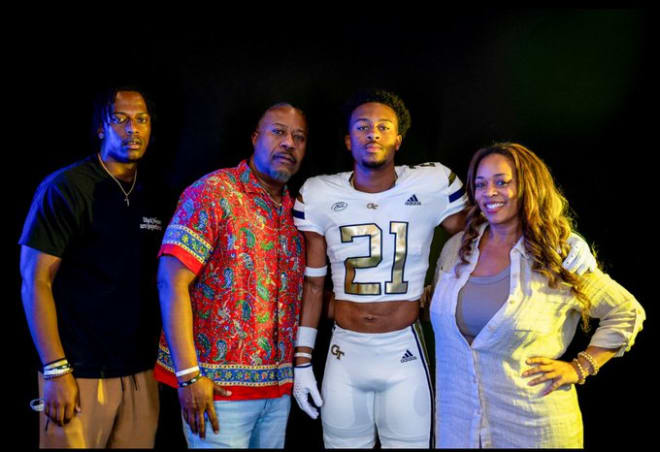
230	282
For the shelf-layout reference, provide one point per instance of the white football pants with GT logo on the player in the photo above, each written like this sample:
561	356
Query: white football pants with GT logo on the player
377	384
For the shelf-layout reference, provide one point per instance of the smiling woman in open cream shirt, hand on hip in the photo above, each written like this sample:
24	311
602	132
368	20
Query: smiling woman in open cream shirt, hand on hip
504	310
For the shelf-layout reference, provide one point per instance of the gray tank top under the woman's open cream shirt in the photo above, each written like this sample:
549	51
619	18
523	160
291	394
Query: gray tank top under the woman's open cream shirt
479	300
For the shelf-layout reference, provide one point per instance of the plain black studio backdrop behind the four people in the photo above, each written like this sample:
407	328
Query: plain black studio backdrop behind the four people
572	85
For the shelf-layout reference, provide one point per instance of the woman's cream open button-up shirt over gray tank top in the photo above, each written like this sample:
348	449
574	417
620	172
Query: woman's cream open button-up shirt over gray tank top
481	397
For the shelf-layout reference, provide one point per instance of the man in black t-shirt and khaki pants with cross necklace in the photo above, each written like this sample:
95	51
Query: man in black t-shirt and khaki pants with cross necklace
88	263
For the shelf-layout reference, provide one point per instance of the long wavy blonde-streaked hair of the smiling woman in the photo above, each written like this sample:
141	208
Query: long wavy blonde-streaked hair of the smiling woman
544	213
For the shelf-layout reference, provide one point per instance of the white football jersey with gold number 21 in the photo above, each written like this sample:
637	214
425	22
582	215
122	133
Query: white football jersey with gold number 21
378	244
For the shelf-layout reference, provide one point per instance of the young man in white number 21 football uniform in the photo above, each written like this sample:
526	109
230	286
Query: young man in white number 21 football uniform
375	224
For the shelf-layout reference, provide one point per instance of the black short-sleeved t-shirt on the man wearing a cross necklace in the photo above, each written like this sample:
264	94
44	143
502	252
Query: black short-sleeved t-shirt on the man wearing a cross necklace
105	289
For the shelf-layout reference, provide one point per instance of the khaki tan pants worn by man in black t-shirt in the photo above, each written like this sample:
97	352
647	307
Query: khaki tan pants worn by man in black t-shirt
115	413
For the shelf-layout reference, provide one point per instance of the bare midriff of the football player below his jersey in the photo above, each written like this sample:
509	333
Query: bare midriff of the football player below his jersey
380	317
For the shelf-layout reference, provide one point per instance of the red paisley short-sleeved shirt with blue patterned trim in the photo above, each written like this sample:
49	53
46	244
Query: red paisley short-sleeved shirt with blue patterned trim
249	260
